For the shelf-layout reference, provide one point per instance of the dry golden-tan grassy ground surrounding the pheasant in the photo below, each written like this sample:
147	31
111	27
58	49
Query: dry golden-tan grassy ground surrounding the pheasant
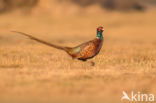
32	72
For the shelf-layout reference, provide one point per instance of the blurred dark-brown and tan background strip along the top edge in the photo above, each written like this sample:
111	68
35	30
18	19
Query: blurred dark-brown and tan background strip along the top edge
52	6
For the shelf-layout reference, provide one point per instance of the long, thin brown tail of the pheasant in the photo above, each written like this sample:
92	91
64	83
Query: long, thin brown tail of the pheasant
41	41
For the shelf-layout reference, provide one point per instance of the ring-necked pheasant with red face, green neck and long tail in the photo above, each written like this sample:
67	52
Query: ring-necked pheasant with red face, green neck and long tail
83	51
